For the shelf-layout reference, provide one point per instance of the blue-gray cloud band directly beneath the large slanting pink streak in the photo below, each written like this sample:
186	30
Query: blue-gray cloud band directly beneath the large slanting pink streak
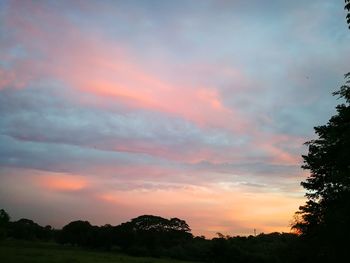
46	115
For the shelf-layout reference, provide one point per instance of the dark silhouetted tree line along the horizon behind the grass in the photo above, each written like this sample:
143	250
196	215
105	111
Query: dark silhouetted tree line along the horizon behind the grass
154	236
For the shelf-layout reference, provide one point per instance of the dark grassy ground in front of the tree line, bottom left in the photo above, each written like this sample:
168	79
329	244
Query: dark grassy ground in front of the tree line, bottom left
15	251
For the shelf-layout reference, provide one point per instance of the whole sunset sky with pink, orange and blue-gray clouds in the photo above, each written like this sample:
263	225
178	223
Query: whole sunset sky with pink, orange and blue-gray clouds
190	109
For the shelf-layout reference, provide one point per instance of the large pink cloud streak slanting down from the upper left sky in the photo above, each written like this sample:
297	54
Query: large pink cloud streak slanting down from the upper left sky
108	69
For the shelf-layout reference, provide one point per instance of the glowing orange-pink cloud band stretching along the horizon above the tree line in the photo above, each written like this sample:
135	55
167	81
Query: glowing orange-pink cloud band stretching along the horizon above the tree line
230	208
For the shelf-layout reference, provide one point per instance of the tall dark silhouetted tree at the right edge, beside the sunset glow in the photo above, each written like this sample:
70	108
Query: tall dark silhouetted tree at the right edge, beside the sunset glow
325	217
